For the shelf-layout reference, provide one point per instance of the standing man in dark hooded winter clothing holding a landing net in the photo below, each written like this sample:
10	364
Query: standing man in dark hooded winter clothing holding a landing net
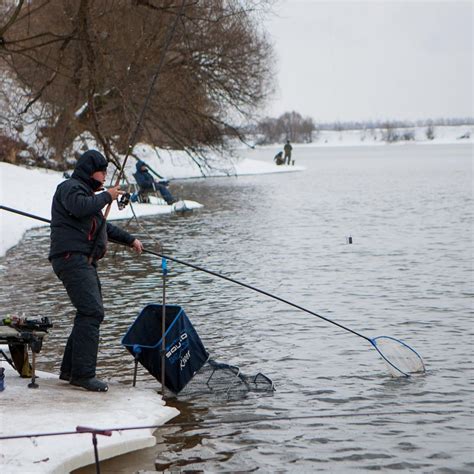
78	239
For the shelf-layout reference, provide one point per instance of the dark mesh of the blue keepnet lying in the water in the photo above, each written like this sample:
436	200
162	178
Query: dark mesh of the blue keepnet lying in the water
225	380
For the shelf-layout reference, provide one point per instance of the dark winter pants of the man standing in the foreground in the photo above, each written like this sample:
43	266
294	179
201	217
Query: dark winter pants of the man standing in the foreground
82	284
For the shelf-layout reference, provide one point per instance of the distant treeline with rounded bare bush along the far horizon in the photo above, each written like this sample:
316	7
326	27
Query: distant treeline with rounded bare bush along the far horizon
298	129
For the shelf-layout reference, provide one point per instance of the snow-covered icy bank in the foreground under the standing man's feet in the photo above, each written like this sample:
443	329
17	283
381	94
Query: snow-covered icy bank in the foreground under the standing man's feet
59	407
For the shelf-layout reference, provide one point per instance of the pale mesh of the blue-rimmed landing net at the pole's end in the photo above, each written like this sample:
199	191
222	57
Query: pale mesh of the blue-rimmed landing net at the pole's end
400	358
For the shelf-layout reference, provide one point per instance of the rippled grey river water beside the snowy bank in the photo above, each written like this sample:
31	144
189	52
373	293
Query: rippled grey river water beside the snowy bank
407	274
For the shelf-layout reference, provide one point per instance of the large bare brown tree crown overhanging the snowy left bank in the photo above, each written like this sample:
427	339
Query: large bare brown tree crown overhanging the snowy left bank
90	64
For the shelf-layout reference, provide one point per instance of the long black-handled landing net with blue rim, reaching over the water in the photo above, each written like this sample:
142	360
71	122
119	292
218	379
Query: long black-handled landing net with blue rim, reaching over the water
400	357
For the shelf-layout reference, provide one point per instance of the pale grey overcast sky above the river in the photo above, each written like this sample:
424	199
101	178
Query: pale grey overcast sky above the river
379	59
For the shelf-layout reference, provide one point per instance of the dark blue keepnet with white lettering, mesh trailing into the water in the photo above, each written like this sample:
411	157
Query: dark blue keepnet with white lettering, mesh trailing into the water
187	365
